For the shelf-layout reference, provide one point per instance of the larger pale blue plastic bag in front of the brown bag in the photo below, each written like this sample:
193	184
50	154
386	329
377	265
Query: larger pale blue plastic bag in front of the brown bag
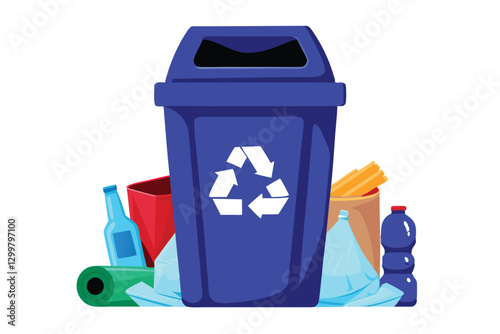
348	278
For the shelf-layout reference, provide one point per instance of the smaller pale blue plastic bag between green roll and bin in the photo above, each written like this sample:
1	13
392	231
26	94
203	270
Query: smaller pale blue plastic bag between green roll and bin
167	288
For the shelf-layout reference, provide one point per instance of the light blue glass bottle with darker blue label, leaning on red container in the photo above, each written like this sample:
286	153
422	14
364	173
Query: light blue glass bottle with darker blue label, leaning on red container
122	234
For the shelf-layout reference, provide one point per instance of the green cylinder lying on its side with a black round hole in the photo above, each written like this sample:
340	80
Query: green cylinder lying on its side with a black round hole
106	286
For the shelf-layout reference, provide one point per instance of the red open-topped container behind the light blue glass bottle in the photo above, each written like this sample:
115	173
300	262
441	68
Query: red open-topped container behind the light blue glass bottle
150	205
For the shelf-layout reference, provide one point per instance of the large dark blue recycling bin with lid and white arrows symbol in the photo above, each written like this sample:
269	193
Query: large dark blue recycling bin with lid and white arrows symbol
250	115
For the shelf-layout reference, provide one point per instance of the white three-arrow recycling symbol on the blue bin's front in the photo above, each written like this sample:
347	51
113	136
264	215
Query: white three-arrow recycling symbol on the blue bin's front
226	179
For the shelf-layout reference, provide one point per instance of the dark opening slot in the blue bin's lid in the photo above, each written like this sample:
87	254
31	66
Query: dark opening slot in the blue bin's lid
250	52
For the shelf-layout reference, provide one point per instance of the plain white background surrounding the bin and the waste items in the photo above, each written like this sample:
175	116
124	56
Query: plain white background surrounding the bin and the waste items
65	78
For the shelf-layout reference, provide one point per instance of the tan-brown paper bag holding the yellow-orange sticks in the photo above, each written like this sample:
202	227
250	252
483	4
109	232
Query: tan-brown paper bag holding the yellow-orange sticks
364	218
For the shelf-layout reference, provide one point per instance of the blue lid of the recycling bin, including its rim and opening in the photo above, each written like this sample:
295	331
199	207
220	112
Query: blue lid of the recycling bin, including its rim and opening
251	66
